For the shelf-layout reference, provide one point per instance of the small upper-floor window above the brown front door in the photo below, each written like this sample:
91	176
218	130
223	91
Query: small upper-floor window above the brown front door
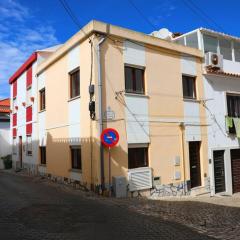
189	88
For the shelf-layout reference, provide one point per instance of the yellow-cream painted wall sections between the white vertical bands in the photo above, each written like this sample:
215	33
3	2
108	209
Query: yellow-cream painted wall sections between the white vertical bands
164	88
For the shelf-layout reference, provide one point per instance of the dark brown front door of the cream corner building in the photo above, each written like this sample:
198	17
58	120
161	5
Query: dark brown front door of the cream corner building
195	168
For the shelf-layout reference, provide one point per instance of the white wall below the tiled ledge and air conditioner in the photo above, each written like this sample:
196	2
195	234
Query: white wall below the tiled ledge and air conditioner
218	139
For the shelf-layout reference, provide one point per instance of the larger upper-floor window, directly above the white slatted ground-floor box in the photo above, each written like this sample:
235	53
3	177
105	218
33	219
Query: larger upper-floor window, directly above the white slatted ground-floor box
134	80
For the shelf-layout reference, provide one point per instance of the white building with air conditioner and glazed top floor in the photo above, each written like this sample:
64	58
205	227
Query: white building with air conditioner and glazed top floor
222	99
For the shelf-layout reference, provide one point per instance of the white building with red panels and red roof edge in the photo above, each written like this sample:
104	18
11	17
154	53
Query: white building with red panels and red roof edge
26	114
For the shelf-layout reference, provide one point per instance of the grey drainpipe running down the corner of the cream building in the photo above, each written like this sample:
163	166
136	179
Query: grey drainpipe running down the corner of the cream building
100	110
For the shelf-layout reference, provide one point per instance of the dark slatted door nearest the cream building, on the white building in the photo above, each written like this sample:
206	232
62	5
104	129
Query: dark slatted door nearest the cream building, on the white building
219	171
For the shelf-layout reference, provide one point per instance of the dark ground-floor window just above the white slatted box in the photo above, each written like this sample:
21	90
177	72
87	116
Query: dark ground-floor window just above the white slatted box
137	157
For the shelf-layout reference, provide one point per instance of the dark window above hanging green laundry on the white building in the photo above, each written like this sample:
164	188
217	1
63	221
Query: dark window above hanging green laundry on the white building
233	106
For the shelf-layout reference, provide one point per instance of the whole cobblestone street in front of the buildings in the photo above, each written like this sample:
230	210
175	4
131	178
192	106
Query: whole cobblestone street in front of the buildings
34	208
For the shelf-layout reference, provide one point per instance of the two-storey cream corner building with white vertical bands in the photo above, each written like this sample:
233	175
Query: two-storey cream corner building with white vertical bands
171	131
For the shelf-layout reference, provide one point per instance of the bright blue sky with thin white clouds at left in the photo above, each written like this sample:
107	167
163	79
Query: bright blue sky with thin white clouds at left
29	25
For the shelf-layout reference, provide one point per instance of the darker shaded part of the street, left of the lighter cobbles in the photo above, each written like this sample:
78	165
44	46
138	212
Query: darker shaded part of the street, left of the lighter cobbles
31	209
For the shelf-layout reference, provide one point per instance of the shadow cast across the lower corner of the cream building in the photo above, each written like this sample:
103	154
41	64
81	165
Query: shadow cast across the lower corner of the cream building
59	162
